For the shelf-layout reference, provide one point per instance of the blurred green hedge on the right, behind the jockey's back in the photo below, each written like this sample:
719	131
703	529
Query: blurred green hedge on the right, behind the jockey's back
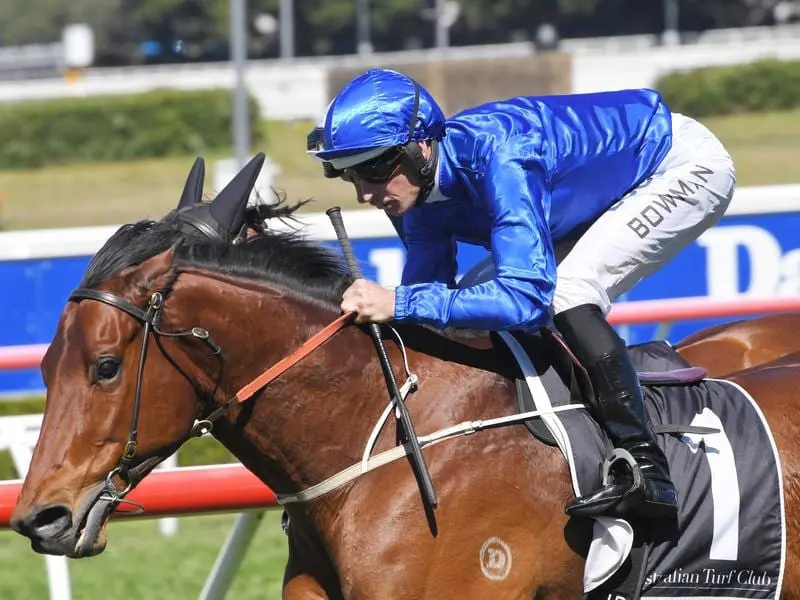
754	87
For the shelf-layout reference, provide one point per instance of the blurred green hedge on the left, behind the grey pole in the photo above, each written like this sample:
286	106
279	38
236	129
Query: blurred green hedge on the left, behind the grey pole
117	128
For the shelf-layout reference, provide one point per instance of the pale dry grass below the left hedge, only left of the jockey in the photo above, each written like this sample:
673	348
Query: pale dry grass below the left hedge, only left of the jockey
109	194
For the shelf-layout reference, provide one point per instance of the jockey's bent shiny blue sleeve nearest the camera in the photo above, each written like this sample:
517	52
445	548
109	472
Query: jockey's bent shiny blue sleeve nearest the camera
517	191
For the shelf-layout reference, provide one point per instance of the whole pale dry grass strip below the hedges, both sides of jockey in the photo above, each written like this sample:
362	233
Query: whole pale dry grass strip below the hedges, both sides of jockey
764	147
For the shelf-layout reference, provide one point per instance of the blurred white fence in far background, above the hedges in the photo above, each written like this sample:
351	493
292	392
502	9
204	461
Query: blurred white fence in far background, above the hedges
297	88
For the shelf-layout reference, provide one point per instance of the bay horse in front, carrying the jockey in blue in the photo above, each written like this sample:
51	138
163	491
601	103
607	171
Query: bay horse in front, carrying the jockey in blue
215	315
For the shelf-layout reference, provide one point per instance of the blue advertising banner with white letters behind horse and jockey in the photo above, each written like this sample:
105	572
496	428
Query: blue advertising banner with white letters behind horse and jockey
755	254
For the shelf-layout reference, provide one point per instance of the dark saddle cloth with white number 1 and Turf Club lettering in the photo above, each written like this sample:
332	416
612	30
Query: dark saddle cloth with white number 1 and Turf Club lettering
722	459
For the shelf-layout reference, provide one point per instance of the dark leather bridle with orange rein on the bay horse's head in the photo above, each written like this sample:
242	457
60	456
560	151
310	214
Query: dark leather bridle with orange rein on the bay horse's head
129	469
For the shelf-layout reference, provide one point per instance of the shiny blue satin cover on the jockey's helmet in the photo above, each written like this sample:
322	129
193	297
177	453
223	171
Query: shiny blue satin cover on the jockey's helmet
375	110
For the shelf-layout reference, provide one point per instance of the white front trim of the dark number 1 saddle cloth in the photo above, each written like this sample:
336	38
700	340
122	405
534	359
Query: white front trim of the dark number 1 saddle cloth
612	538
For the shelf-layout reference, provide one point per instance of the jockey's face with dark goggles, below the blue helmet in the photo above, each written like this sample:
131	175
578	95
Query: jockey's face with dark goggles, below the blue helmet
396	194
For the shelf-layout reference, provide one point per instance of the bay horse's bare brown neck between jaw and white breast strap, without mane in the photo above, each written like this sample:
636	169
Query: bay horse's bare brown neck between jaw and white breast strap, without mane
313	420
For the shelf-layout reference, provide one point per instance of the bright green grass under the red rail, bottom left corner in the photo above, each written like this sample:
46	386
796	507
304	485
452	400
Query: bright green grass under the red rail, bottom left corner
141	564
